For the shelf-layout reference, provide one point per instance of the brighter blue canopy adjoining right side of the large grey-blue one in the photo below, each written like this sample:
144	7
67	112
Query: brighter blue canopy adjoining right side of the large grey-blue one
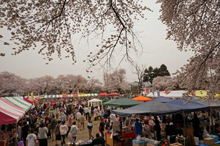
188	107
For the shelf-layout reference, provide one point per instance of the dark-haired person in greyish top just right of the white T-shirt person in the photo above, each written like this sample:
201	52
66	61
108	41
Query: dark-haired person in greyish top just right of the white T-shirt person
43	135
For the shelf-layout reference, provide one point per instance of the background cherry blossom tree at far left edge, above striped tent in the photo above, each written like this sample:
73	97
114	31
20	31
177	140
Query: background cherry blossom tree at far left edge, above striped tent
11	84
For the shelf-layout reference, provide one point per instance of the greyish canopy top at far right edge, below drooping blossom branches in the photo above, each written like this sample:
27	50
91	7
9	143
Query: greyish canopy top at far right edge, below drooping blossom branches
212	104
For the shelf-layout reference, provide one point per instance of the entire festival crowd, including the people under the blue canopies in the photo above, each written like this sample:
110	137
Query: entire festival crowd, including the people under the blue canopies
57	120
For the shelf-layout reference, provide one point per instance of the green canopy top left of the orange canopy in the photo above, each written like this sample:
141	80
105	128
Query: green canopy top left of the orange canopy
122	102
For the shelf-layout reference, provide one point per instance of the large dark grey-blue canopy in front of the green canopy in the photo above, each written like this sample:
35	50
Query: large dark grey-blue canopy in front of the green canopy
149	108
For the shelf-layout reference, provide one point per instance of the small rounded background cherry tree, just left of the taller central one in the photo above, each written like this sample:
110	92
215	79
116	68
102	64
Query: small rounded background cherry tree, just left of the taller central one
92	85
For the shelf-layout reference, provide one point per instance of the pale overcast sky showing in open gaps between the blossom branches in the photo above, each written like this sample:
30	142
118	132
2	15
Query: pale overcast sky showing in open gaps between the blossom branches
156	51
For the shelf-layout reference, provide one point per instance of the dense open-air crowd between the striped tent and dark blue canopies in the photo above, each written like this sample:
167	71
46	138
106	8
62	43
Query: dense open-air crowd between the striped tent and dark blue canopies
56	122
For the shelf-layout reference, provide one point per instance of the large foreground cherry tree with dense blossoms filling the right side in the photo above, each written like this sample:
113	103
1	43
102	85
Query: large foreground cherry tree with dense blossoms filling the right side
194	26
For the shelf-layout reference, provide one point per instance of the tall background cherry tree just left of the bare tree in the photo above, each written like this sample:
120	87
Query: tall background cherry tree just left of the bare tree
116	81
